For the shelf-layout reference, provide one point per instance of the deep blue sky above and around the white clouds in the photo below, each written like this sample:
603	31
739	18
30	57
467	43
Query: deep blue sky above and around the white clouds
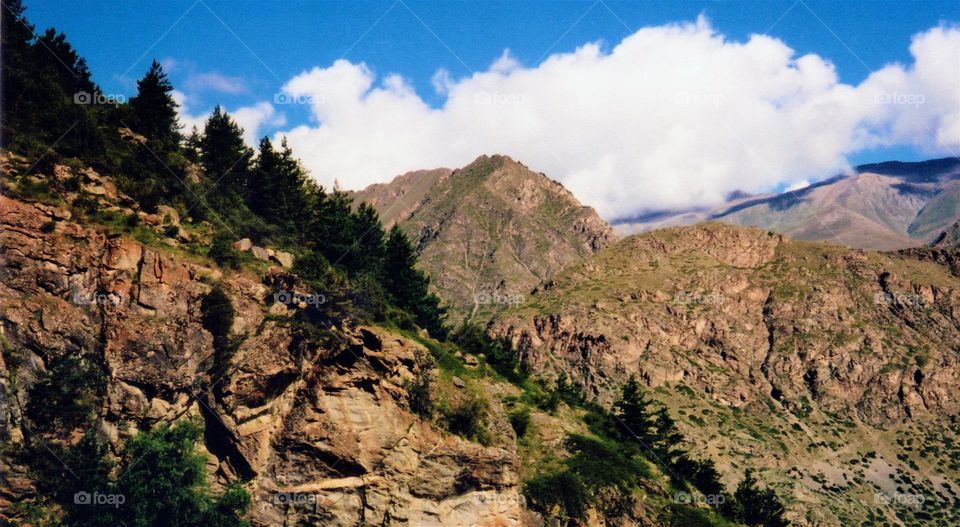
237	53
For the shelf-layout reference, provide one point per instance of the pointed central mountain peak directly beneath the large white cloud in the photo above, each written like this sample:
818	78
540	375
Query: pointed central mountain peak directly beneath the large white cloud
489	232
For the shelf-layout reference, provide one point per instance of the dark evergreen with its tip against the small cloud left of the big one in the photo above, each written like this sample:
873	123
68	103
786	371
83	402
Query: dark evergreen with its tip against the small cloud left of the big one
225	158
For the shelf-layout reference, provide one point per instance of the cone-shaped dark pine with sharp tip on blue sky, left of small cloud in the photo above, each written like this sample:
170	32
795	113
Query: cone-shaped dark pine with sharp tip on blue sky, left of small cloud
154	110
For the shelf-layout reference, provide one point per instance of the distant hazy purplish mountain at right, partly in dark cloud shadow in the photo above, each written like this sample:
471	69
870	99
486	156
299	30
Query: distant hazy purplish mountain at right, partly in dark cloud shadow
883	206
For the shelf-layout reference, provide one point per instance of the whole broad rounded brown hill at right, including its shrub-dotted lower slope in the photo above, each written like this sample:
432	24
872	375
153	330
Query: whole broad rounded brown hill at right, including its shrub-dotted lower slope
830	370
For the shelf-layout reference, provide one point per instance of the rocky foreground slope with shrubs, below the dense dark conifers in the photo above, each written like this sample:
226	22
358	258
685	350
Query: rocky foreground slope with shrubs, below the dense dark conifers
113	331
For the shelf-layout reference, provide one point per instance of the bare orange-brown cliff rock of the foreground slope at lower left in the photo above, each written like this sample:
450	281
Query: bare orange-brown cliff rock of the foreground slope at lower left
320	432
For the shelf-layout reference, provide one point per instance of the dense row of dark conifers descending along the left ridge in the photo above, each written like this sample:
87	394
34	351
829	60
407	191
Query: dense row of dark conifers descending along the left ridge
53	111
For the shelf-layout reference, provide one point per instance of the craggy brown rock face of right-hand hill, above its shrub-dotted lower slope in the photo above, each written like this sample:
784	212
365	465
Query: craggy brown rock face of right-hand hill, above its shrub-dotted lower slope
774	316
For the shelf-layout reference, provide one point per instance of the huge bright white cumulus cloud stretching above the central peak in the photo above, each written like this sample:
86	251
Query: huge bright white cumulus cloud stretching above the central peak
673	116
